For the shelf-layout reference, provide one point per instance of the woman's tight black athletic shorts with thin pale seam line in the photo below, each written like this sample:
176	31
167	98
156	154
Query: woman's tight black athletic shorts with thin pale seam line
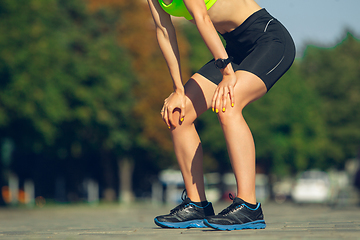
261	45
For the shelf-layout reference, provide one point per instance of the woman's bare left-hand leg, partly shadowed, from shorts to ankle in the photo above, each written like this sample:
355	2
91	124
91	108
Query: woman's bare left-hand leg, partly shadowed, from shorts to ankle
187	144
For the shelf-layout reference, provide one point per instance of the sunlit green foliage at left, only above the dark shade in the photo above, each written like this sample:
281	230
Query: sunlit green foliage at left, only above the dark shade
59	64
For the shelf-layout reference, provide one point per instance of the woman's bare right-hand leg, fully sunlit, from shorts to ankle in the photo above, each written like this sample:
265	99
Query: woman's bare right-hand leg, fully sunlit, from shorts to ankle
238	136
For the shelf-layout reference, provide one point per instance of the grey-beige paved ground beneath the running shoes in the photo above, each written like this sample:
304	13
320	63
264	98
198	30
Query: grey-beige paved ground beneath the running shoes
286	221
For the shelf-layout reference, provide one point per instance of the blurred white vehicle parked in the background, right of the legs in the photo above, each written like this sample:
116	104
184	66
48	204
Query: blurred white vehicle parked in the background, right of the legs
312	186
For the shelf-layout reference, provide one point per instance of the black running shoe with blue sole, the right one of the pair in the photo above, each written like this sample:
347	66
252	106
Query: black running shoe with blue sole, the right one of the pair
237	216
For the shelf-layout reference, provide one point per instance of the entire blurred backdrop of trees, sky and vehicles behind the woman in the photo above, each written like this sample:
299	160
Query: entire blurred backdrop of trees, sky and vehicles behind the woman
82	83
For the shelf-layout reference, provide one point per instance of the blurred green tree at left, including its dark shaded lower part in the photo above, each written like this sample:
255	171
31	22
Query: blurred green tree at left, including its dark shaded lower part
65	96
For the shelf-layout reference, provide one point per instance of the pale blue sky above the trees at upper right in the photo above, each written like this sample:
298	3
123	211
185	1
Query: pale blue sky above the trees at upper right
319	22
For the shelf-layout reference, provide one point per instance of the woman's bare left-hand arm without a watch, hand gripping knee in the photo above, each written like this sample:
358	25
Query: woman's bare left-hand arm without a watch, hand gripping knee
166	36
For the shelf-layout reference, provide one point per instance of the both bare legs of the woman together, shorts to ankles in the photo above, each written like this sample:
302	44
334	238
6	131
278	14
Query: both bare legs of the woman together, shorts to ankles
238	137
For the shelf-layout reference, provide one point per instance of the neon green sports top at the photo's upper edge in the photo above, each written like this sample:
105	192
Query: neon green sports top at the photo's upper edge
177	8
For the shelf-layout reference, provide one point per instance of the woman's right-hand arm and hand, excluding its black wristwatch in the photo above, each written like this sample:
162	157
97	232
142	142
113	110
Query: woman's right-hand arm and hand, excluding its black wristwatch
197	9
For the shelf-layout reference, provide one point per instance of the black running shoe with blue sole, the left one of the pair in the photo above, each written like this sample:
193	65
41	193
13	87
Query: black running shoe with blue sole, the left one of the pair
186	215
